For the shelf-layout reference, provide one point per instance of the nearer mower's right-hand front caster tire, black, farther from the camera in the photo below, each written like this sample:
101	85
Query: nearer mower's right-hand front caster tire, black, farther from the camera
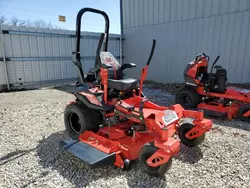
183	129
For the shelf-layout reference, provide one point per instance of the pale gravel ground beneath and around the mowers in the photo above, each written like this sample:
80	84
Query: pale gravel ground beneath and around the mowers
31	126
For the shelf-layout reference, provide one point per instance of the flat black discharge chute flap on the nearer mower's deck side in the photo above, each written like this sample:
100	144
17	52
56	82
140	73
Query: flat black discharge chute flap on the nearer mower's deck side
88	154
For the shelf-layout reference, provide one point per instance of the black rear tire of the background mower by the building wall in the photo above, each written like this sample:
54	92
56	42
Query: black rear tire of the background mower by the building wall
187	98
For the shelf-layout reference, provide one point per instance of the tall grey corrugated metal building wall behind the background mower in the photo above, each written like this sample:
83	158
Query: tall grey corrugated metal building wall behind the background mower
183	29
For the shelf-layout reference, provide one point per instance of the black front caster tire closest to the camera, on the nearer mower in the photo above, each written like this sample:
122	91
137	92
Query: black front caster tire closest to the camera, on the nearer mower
146	152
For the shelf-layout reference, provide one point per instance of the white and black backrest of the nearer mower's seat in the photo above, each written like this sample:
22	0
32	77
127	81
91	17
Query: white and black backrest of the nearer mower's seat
115	72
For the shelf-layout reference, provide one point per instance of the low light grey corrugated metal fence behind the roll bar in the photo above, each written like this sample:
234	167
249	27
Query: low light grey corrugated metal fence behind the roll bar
47	71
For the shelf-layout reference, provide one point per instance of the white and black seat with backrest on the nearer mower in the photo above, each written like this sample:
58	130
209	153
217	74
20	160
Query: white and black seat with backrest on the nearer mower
116	78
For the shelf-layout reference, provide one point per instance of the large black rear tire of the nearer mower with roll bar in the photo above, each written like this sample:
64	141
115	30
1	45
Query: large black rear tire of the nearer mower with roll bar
78	118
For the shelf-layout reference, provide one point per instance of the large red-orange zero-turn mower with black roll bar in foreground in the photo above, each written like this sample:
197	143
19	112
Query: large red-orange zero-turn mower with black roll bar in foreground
112	122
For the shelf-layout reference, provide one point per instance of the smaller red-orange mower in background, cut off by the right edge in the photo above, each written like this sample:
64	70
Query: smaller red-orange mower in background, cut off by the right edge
208	91
